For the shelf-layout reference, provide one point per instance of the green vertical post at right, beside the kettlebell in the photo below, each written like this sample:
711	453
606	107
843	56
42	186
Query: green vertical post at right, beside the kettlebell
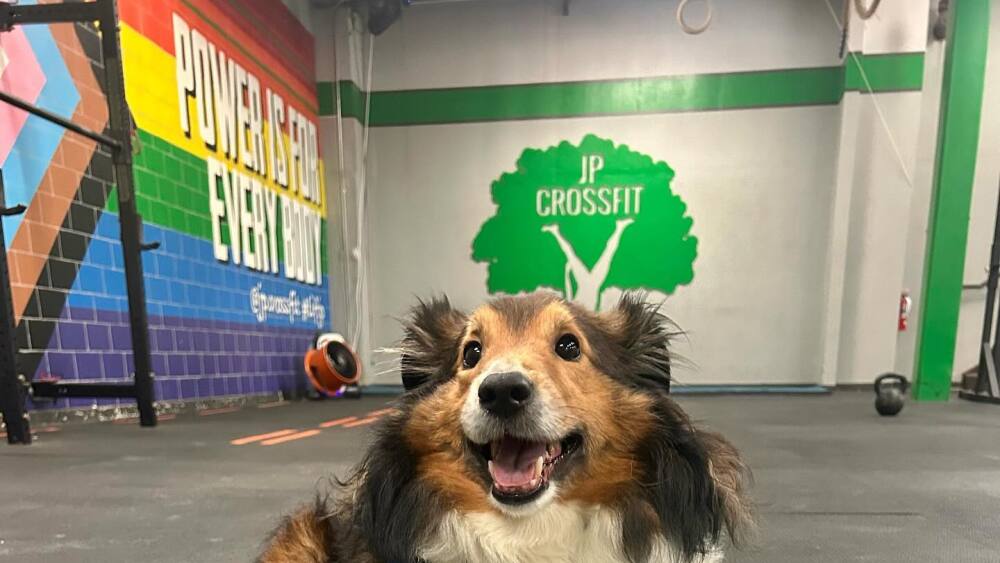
954	173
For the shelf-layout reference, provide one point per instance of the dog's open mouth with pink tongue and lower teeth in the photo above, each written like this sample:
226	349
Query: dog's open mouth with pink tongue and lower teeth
521	469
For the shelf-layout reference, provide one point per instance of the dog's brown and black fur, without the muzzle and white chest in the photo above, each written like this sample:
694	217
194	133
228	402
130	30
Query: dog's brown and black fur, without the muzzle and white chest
615	392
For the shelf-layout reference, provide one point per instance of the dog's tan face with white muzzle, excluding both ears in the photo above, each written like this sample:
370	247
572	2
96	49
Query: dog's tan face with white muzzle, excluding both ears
537	414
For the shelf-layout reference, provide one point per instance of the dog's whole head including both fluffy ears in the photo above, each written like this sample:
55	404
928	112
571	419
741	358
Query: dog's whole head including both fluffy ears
531	401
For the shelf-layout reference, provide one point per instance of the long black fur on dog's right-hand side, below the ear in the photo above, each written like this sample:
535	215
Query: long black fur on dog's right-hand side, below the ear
696	484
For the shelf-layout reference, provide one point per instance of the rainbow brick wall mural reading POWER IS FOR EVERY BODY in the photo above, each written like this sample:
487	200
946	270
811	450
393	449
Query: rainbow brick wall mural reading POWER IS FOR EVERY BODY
229	180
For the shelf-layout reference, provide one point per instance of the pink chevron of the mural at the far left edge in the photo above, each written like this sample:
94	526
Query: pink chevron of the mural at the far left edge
22	77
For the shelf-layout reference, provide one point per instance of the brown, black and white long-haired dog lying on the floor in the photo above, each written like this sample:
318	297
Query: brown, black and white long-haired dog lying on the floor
533	431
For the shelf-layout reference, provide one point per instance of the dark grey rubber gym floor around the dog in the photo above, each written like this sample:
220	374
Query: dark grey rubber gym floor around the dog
834	481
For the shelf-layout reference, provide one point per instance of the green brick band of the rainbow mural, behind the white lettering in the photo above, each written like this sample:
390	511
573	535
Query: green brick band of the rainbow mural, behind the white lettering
170	192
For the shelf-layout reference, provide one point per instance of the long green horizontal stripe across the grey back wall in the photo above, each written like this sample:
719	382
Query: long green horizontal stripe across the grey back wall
669	94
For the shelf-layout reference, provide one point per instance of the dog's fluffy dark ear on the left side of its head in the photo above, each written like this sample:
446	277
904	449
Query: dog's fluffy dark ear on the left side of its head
431	336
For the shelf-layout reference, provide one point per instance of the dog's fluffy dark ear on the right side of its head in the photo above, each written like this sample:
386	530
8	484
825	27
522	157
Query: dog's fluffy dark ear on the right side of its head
643	334
